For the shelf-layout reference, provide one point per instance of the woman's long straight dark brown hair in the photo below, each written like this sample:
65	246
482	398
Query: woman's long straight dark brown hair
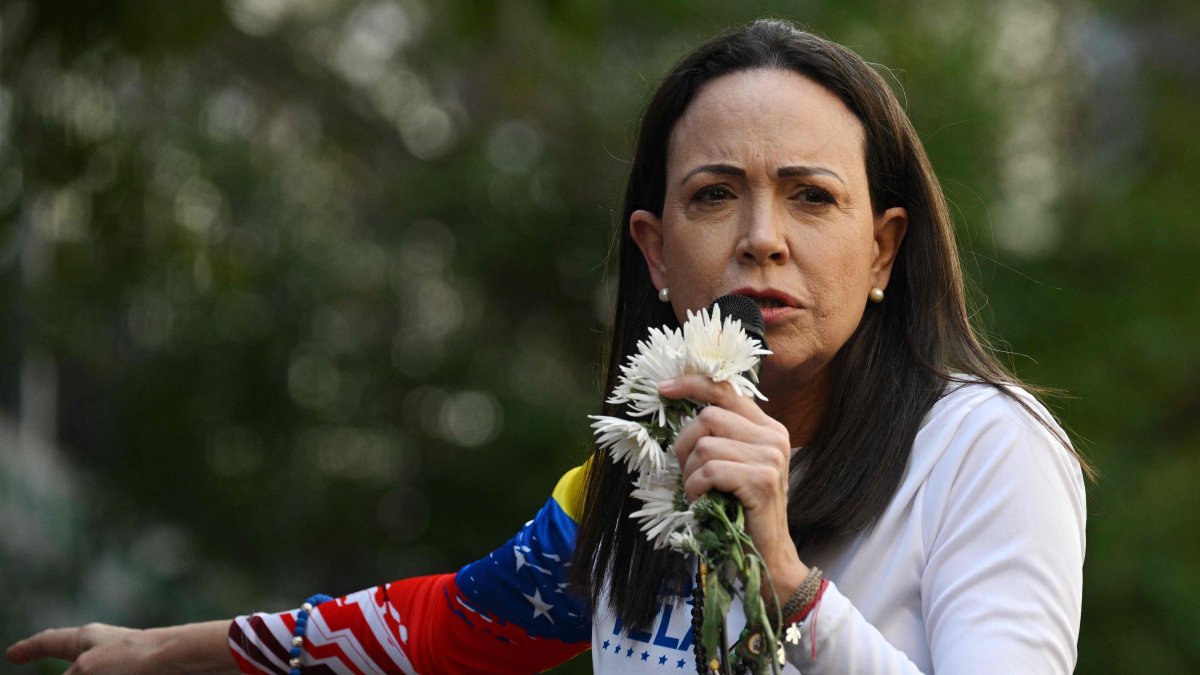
885	379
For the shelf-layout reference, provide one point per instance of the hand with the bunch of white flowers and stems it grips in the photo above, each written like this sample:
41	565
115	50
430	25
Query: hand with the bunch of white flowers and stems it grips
711	470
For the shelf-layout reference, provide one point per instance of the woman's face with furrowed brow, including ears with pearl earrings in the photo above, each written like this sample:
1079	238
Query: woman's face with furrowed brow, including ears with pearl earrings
767	198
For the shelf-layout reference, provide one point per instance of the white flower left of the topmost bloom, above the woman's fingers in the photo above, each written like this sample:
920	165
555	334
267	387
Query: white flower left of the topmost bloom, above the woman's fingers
659	357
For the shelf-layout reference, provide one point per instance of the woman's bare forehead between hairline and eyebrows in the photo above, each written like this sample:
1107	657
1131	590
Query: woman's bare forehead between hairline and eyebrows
773	117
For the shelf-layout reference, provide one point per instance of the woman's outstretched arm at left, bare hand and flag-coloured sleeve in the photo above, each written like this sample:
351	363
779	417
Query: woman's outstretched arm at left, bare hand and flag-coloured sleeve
511	612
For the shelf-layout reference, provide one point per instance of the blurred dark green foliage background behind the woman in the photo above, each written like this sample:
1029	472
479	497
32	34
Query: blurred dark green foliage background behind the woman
308	296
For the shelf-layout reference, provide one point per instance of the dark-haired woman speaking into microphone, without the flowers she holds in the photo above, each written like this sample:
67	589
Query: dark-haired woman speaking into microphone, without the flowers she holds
943	503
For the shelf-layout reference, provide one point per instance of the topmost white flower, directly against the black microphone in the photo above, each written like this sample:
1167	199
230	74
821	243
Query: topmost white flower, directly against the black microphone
723	351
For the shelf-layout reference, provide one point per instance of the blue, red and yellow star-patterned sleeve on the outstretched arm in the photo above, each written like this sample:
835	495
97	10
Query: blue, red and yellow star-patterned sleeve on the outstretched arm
511	612
